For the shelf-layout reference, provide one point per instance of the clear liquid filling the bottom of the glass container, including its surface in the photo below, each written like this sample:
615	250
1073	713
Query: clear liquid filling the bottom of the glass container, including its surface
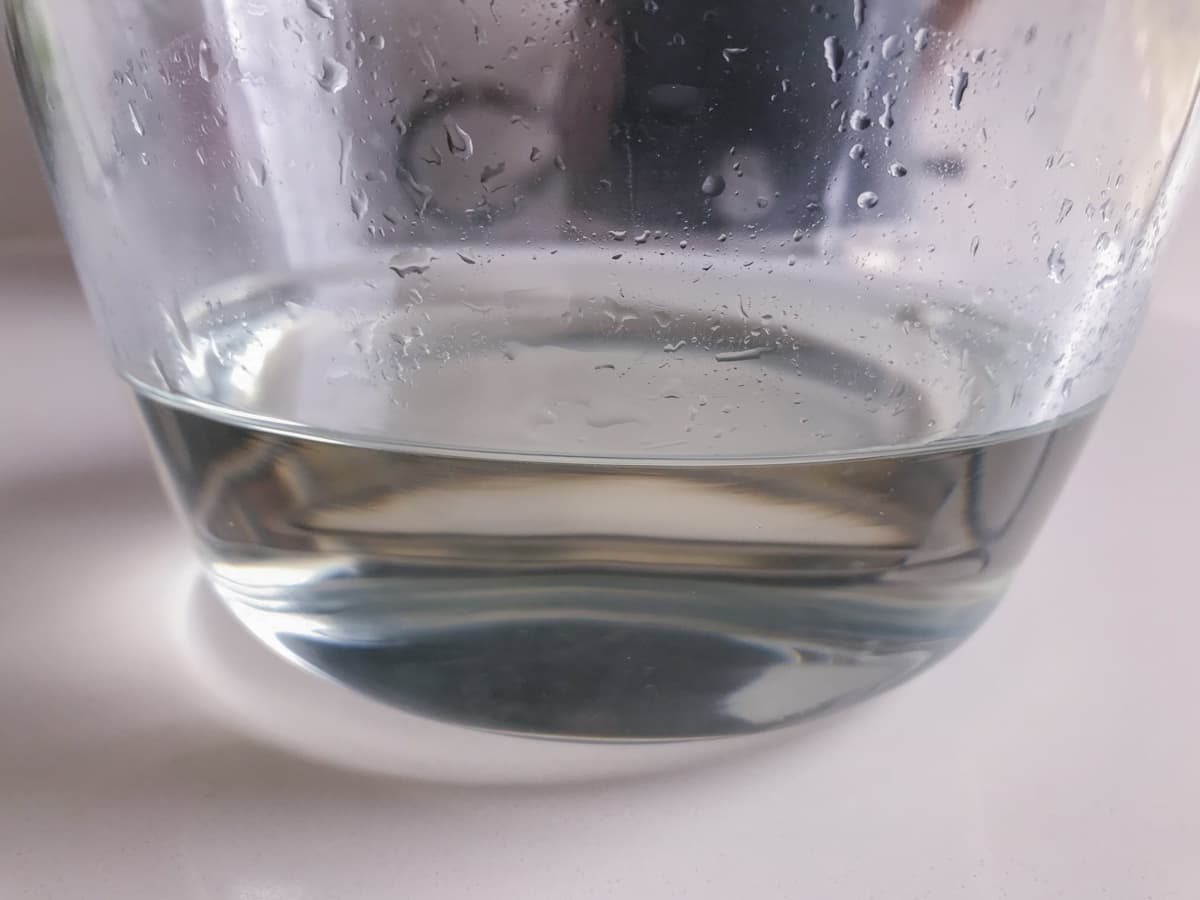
598	525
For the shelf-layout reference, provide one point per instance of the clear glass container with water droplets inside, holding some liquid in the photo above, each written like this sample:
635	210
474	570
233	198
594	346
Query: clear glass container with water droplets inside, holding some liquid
614	371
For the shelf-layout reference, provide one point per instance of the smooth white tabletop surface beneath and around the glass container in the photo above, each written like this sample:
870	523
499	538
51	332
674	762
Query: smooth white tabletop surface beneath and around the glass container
1057	757
